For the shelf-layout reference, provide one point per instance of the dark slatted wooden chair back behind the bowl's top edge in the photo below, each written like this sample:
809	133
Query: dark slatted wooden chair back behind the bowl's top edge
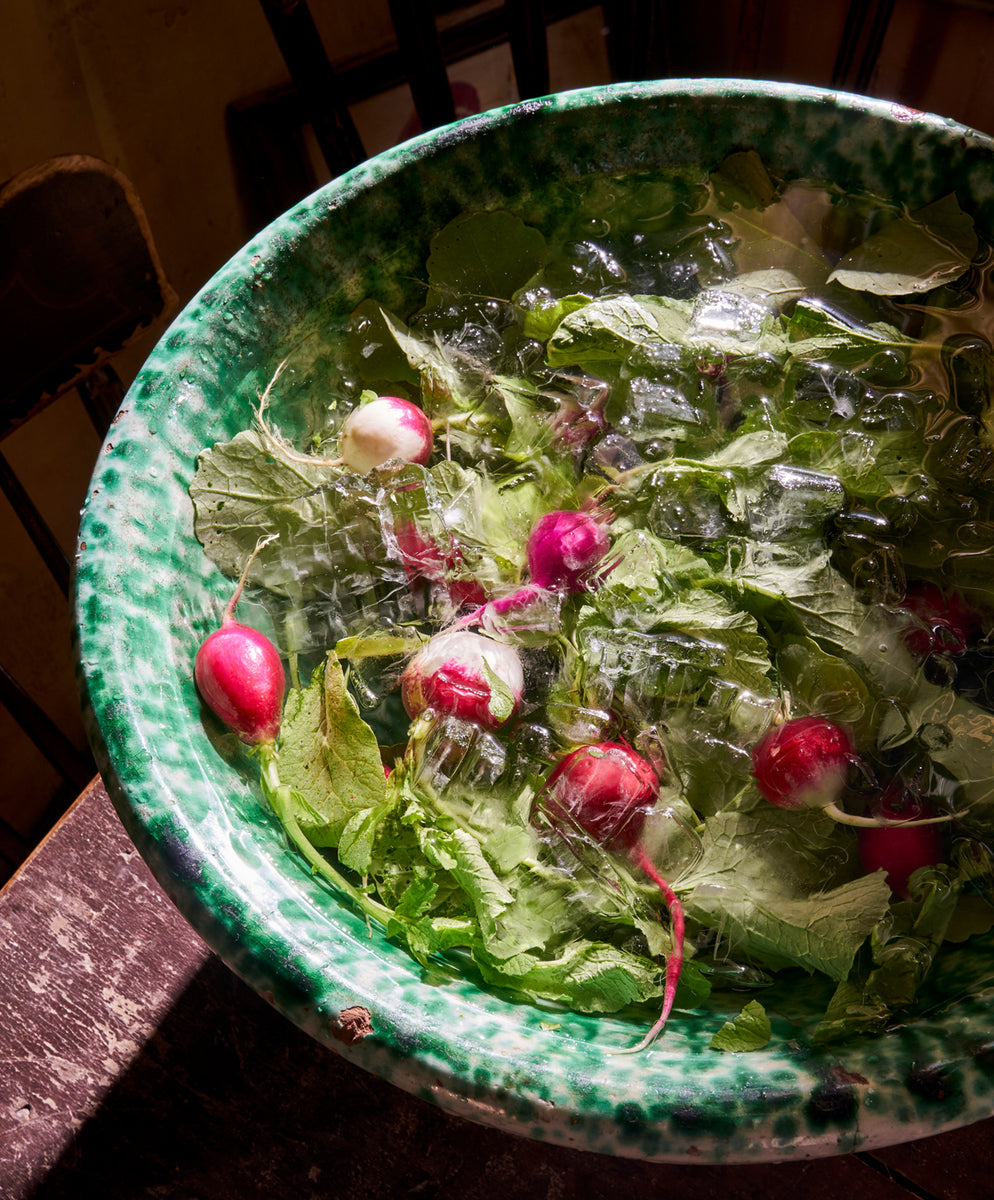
644	40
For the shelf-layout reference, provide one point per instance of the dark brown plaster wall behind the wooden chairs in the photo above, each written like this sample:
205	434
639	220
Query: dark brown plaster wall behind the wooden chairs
146	85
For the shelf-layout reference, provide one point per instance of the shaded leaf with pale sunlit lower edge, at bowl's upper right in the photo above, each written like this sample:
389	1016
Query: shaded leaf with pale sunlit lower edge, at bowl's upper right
913	254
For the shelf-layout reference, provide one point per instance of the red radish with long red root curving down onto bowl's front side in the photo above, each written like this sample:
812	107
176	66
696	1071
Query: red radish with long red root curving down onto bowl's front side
607	790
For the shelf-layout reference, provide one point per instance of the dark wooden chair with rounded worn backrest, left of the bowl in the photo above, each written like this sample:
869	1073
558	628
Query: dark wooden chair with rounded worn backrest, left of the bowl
80	279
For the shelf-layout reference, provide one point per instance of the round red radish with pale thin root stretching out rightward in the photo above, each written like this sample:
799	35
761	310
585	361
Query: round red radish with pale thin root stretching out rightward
804	764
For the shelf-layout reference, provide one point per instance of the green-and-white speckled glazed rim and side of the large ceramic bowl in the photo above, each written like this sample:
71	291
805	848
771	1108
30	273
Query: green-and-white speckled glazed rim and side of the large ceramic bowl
147	596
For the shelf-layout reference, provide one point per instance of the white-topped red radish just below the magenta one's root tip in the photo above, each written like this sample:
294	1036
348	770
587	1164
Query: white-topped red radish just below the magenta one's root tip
456	674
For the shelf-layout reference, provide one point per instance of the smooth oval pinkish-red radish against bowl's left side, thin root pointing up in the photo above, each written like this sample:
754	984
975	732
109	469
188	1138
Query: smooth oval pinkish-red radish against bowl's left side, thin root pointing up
241	675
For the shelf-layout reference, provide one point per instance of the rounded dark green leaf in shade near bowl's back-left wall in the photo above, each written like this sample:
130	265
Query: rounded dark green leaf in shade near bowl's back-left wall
484	255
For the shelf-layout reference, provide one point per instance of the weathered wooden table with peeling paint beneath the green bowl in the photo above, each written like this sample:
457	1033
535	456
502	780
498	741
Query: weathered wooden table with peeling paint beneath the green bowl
134	1064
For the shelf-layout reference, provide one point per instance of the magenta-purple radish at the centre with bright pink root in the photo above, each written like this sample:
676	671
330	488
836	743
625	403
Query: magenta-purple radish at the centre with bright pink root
565	550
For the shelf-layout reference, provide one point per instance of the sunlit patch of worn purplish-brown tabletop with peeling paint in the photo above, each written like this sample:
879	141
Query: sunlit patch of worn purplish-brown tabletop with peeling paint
82	929
